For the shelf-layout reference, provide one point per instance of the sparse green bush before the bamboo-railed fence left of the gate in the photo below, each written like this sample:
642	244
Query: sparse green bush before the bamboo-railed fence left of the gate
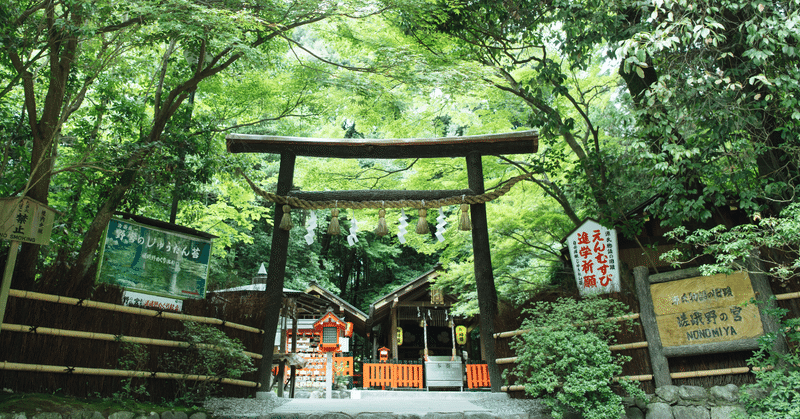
210	353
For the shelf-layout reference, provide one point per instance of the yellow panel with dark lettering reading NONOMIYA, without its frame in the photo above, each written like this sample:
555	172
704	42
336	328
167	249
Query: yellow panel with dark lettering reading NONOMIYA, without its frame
706	310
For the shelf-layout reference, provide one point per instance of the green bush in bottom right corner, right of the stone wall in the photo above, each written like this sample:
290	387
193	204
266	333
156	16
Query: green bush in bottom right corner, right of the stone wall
777	374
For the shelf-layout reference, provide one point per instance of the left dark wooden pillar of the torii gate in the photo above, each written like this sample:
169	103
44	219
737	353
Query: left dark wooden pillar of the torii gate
276	272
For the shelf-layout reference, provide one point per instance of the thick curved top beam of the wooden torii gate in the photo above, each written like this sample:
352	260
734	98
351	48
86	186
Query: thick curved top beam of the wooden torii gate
523	142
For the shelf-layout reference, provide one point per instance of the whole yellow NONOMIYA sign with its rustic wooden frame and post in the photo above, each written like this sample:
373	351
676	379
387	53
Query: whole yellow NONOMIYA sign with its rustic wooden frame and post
684	314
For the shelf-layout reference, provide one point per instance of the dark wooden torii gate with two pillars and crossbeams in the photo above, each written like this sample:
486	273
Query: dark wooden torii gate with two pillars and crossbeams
470	147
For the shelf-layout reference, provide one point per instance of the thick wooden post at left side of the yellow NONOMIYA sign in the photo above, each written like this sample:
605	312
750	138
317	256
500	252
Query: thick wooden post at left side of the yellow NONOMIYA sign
647	315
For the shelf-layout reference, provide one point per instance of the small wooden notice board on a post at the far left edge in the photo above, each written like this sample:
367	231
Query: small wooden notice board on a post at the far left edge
25	220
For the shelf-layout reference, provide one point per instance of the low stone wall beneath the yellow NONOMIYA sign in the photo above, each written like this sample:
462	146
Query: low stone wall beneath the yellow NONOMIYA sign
689	402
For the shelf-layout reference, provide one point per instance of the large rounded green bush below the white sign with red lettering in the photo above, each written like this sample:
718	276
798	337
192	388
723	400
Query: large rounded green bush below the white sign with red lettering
564	358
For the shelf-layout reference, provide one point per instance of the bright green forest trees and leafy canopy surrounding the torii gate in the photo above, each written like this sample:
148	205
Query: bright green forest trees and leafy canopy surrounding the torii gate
677	108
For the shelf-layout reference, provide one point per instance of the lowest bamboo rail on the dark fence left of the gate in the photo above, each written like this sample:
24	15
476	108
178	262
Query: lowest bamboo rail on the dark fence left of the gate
13	366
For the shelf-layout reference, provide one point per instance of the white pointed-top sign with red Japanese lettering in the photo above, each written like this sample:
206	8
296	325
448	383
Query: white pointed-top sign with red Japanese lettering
594	255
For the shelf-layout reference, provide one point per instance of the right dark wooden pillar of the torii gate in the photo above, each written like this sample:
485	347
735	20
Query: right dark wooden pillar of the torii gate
484	278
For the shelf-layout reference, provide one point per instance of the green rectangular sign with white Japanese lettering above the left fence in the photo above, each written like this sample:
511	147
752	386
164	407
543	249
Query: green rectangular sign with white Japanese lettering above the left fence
153	260
